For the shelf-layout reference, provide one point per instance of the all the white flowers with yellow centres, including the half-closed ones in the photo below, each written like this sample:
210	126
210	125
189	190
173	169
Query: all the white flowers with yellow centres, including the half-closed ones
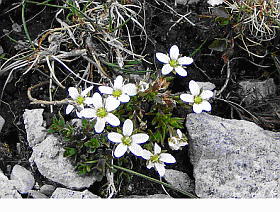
101	108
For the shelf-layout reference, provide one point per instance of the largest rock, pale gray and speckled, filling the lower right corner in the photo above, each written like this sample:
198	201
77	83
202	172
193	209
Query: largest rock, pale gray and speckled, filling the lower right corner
233	158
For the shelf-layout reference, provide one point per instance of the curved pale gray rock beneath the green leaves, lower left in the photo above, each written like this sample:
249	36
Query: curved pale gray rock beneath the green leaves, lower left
48	157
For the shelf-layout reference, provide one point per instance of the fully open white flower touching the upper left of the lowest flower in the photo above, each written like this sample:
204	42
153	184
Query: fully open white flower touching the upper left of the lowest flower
127	141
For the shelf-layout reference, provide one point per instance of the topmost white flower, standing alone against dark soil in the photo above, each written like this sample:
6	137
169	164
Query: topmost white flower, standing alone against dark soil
174	62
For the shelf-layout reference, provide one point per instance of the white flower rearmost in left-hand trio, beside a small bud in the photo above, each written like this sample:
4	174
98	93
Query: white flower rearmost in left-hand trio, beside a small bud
120	91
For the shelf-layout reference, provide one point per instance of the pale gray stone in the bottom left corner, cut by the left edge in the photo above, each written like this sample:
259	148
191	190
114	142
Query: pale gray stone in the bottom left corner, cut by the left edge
8	190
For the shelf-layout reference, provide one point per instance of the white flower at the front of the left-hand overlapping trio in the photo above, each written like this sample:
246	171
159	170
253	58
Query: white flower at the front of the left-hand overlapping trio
102	111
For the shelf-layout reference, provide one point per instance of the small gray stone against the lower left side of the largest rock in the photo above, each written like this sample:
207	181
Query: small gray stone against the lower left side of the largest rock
179	180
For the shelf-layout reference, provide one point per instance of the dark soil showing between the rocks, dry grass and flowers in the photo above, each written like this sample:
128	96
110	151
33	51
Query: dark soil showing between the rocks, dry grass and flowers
159	18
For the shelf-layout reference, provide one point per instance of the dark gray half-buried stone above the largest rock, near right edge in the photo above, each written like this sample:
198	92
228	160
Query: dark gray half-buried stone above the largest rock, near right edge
256	90
